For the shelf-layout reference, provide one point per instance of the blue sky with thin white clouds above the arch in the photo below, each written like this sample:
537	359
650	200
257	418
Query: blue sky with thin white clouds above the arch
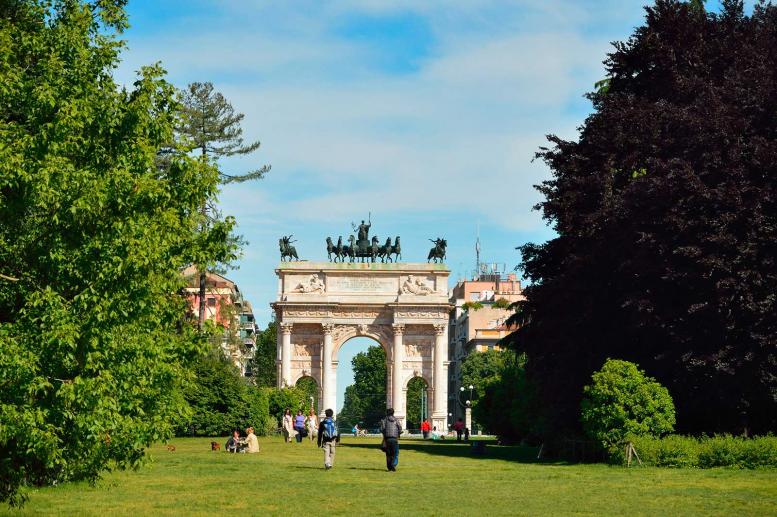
424	116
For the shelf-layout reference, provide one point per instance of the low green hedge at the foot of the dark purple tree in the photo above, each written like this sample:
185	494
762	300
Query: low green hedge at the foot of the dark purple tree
704	452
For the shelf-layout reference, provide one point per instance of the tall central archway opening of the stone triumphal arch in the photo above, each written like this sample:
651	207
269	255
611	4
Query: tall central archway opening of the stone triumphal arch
361	384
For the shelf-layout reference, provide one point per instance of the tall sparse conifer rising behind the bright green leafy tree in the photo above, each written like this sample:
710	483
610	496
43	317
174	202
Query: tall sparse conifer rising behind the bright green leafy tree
210	125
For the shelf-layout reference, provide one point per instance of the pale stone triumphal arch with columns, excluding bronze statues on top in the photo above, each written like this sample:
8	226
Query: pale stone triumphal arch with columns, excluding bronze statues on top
402	306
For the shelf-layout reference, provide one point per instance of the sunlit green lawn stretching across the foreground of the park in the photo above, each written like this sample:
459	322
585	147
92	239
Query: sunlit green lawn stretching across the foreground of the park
433	479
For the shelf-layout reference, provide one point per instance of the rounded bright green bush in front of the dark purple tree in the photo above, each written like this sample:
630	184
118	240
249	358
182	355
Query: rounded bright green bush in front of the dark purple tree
622	401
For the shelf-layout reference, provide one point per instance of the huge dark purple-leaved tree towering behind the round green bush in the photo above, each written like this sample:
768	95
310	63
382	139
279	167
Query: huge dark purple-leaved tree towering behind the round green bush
665	214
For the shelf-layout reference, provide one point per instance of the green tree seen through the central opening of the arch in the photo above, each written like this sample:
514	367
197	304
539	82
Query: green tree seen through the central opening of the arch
365	399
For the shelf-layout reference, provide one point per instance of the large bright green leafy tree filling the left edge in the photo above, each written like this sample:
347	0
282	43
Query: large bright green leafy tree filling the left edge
92	344
